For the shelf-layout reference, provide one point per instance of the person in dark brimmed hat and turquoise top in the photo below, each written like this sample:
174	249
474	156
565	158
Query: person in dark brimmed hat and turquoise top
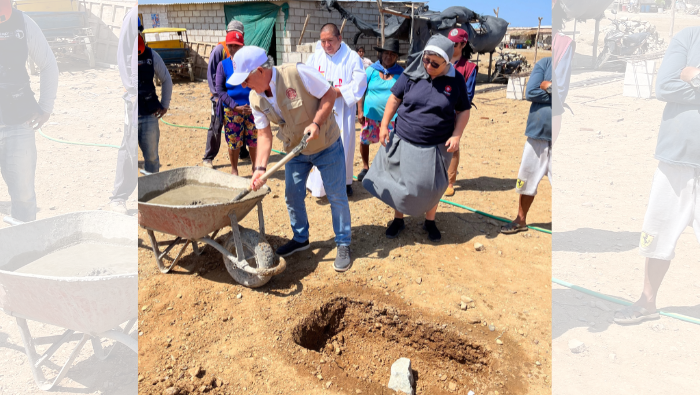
381	77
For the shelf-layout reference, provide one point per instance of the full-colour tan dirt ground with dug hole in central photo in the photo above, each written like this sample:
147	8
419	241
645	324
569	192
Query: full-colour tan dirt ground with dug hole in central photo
311	330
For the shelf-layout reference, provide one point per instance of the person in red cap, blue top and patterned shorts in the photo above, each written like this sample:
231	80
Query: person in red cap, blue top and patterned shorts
233	106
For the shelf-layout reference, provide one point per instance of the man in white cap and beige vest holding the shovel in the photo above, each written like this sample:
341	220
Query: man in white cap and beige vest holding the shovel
299	100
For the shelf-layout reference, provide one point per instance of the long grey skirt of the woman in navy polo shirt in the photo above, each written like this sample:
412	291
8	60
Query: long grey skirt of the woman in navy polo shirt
410	178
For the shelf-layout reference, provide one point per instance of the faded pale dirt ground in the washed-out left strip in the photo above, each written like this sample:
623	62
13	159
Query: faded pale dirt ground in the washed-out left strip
72	178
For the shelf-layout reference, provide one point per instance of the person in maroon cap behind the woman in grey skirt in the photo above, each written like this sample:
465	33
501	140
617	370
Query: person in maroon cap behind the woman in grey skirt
461	63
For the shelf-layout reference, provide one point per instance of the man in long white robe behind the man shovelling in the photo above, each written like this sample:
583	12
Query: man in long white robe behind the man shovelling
344	71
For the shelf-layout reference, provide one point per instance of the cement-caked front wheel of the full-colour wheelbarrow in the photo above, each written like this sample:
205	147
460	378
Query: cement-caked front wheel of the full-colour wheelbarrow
262	258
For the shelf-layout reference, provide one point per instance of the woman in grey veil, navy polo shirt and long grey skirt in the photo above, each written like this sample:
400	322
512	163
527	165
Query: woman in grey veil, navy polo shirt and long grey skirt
410	173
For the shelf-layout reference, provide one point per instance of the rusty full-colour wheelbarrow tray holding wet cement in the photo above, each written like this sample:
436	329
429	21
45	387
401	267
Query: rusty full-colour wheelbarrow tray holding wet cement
193	222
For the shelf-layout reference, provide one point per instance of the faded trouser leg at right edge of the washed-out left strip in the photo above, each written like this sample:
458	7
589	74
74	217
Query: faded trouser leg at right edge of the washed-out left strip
126	178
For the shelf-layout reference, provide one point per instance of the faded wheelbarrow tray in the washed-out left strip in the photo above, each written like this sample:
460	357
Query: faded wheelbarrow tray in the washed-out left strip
91	305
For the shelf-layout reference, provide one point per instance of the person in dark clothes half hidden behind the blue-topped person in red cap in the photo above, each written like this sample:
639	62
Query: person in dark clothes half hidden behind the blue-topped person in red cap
218	54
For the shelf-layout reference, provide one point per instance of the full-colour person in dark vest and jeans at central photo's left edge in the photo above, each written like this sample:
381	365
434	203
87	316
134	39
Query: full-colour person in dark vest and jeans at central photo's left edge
150	109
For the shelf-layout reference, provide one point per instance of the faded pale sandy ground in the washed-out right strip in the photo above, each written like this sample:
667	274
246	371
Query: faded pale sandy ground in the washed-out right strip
604	166
